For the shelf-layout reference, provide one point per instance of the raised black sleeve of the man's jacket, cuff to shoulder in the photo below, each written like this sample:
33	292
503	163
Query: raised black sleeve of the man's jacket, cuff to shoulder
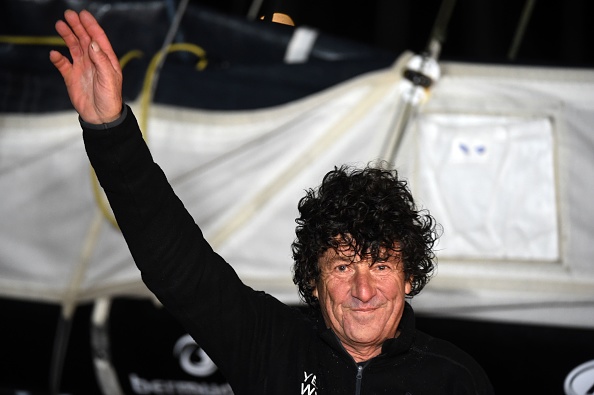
235	325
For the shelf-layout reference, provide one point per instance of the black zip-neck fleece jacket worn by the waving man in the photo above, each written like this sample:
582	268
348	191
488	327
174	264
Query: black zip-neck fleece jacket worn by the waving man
261	345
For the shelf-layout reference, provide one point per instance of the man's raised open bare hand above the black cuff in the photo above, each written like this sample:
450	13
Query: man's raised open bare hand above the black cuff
94	78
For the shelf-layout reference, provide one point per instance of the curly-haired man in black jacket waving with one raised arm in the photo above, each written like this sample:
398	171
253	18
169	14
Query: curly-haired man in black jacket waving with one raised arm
361	249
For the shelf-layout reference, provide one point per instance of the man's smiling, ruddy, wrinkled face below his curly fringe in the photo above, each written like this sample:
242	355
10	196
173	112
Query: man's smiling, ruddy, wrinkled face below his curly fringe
362	303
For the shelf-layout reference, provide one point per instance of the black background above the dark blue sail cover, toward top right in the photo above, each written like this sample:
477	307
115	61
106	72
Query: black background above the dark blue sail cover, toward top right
558	32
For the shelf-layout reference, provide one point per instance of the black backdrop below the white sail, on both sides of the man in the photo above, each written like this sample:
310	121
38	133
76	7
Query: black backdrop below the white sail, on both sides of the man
519	359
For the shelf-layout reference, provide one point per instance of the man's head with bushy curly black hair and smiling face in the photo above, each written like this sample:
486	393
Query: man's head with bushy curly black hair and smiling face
362	247
